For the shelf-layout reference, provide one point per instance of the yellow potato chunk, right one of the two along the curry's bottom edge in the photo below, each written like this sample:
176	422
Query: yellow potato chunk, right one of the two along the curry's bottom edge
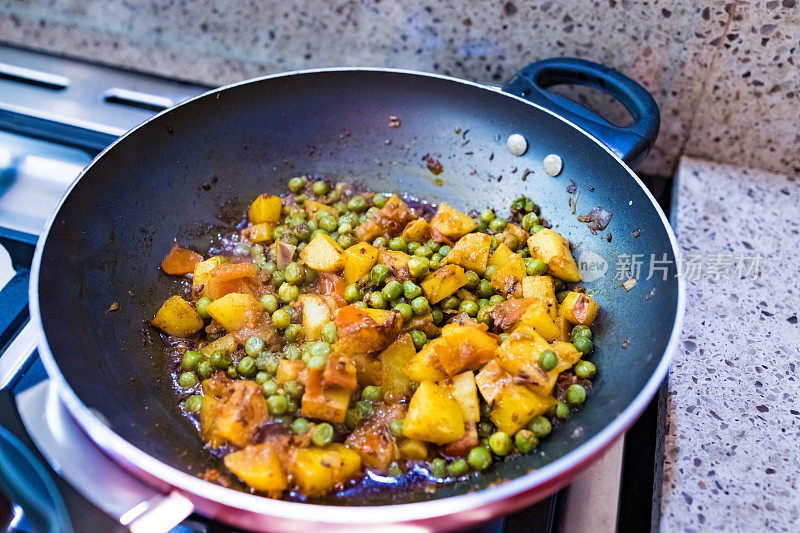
318	470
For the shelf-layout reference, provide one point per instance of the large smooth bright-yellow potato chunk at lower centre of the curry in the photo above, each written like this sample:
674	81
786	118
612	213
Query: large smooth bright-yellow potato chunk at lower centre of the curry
433	416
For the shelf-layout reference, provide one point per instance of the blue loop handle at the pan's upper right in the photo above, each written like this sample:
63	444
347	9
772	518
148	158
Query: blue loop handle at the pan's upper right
631	143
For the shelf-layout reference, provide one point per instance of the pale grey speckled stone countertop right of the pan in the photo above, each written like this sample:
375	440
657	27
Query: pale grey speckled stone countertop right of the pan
731	409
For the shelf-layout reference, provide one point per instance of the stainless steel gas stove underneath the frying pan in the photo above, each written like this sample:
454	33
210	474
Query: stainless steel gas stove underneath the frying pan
56	114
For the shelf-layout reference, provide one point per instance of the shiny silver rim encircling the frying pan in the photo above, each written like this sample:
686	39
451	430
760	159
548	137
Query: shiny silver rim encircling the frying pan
123	451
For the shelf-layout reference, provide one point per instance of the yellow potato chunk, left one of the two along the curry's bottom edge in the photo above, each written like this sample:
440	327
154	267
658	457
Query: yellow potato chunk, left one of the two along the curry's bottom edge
260	467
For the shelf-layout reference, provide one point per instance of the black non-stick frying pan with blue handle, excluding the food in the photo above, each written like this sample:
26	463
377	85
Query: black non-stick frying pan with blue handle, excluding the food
193	168
